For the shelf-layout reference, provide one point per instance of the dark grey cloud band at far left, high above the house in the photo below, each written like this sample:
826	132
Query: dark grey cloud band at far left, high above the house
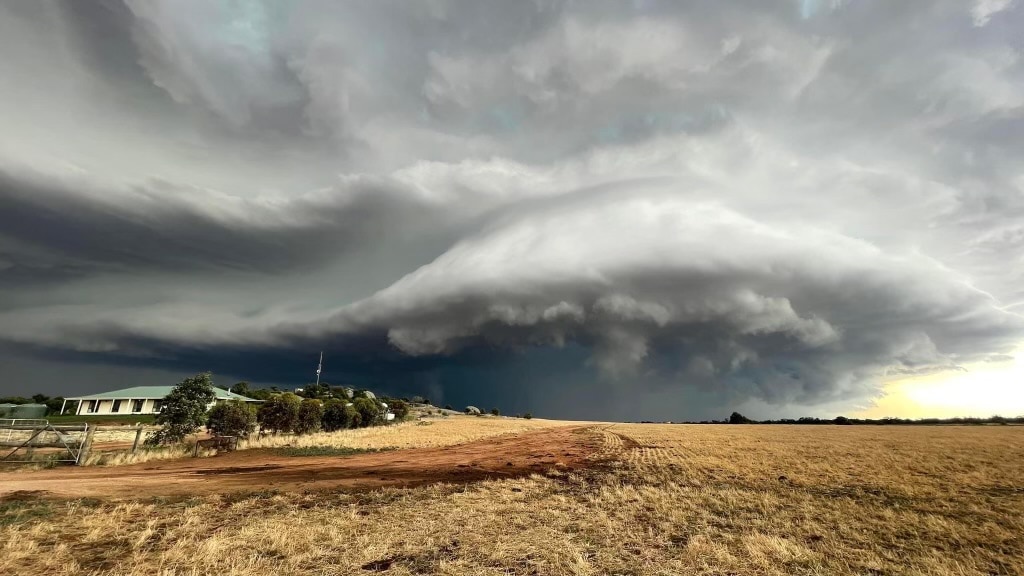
151	228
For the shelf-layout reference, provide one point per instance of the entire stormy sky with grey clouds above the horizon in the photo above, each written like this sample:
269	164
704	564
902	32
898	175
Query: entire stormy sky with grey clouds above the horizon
605	211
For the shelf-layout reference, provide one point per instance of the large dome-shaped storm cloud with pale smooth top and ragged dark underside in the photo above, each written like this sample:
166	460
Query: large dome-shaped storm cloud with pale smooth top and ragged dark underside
786	313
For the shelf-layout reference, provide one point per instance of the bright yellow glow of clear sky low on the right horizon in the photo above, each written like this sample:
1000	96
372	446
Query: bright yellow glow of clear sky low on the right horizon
984	391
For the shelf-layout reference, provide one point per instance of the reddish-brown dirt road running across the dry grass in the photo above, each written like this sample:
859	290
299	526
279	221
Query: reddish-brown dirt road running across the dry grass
268	470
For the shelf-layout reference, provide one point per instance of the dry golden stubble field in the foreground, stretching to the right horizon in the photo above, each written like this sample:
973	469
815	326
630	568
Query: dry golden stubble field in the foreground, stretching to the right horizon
650	500
